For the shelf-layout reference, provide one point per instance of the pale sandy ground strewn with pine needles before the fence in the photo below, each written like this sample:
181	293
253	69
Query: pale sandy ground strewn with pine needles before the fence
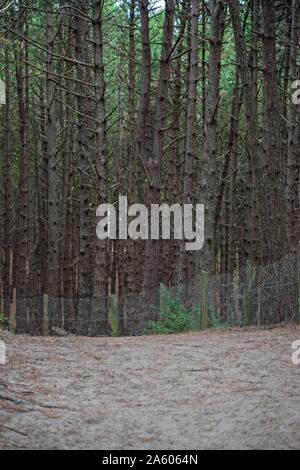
234	389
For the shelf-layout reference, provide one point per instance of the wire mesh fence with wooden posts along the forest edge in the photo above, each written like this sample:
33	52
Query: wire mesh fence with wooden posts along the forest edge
251	296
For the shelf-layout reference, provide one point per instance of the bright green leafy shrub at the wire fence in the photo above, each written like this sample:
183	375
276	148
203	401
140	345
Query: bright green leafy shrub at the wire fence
172	316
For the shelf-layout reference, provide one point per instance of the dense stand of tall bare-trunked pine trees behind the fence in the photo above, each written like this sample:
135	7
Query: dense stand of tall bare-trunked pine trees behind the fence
188	101
